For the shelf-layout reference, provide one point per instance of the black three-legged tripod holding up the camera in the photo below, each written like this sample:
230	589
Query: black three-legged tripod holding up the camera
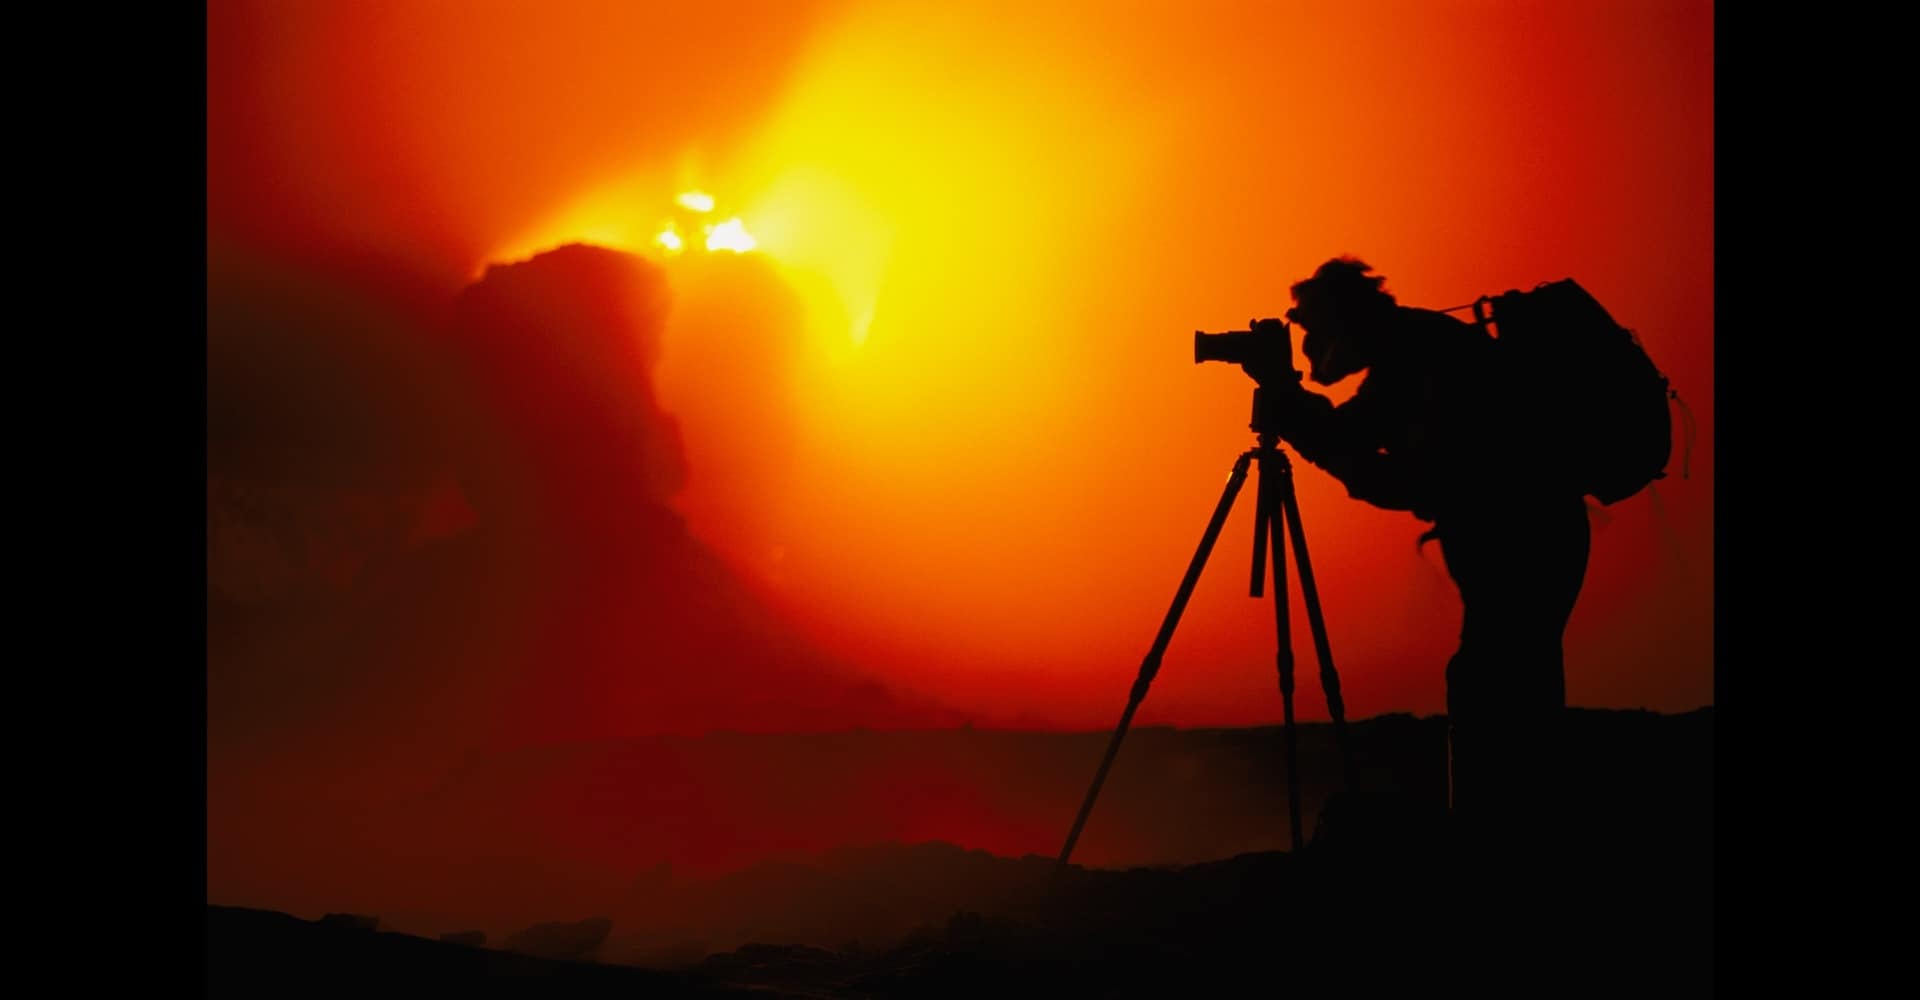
1276	502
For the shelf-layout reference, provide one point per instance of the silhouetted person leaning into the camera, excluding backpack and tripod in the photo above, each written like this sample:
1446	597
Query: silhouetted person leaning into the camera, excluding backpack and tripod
1439	429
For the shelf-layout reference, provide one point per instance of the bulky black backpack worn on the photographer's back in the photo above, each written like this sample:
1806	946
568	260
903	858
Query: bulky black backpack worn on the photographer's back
1587	385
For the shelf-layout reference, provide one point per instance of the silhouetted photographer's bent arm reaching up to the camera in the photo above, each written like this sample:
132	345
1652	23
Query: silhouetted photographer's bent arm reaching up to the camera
1341	442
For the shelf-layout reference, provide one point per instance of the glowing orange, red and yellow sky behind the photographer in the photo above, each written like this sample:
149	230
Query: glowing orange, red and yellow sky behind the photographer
974	454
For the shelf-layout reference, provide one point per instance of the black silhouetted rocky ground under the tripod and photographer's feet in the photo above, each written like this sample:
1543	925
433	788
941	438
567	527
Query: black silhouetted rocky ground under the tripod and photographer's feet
1320	922
